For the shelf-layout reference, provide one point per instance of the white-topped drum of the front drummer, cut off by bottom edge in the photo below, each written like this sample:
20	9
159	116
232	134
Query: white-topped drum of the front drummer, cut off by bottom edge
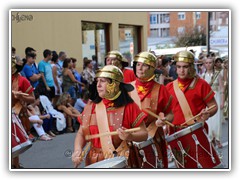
116	162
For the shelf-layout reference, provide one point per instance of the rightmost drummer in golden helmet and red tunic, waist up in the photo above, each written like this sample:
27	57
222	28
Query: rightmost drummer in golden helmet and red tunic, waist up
198	93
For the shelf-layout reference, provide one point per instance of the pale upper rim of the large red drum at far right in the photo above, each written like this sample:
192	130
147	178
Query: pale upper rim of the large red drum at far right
184	132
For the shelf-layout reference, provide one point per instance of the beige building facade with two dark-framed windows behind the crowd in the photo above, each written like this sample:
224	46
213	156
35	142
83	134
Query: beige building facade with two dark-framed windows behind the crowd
79	33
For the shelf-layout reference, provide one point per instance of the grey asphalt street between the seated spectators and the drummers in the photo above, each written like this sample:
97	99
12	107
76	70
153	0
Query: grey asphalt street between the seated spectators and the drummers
57	153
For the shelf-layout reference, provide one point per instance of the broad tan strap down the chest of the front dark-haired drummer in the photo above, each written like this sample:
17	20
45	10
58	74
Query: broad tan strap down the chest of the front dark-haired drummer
103	127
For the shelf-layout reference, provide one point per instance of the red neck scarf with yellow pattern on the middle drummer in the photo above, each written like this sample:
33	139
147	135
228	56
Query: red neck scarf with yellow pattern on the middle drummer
144	88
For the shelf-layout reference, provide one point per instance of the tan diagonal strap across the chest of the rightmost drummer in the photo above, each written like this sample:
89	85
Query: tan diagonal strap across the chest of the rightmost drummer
183	102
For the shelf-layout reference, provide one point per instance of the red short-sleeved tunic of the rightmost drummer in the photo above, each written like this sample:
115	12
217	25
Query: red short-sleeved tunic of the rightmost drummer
197	97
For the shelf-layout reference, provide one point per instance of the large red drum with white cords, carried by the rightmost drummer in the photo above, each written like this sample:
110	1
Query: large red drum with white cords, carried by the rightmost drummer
191	148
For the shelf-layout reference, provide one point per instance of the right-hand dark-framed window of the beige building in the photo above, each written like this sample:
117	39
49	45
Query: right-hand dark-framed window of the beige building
129	35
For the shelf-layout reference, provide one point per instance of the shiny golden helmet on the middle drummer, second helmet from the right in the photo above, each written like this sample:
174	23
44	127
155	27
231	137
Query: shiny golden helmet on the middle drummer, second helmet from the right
147	58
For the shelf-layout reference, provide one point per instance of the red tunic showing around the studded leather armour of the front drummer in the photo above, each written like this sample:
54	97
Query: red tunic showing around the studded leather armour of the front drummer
132	117
